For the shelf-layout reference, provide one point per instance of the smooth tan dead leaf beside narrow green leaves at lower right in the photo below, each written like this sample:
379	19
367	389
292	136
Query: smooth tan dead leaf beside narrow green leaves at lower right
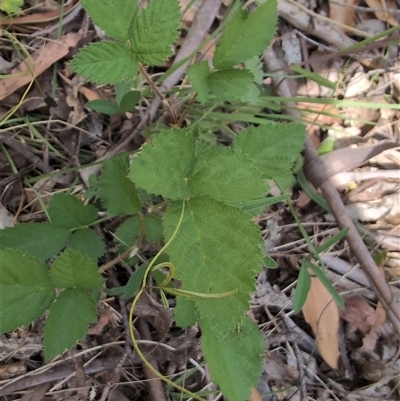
322	314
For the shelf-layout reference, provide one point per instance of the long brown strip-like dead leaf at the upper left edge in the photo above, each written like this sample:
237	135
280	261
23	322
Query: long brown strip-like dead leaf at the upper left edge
39	61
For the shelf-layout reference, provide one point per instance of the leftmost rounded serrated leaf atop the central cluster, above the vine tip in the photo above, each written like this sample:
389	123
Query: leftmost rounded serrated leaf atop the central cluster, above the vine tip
163	165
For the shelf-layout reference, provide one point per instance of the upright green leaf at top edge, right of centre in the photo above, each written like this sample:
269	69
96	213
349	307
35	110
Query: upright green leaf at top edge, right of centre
246	35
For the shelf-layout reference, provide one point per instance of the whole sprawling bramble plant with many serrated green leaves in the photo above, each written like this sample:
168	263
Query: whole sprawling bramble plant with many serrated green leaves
211	191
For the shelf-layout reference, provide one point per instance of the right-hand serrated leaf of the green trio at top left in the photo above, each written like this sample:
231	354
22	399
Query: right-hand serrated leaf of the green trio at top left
155	30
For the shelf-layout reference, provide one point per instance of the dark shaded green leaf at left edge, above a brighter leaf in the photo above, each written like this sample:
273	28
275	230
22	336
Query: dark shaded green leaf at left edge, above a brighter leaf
42	240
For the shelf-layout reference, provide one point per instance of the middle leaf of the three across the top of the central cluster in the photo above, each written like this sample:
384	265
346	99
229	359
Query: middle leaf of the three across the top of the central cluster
226	176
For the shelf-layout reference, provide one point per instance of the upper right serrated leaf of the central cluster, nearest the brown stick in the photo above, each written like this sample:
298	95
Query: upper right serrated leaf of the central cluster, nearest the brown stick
272	147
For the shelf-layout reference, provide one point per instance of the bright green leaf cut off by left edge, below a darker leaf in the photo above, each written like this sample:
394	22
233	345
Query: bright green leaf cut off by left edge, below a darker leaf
25	289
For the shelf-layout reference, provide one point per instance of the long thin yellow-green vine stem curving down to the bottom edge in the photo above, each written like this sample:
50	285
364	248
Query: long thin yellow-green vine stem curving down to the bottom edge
133	306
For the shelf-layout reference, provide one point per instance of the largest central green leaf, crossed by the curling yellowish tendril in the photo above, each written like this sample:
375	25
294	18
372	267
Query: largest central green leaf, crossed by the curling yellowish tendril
215	251
